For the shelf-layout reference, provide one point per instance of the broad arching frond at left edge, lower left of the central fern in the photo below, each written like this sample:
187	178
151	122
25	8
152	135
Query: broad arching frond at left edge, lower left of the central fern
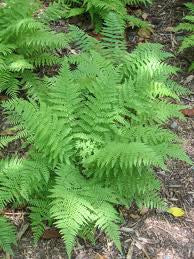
21	178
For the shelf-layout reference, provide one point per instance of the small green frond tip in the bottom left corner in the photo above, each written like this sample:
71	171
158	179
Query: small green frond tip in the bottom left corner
7	235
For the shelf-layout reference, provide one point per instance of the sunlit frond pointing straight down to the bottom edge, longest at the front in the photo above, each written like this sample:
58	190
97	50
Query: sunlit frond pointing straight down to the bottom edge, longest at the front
69	210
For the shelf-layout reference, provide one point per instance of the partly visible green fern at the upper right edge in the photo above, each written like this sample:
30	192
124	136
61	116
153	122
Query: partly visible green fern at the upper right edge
188	25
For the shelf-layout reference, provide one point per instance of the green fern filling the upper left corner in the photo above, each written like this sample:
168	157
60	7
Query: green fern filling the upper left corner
25	44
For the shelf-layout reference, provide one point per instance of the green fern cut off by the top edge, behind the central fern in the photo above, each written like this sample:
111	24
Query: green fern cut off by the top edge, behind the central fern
97	9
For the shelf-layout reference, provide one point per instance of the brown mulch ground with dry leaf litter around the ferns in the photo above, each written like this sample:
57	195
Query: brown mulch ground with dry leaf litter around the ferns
145	233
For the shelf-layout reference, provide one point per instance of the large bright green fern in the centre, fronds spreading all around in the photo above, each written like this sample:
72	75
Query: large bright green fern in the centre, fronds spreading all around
94	135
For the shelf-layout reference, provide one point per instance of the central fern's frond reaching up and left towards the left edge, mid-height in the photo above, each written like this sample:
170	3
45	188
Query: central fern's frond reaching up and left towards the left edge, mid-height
54	139
